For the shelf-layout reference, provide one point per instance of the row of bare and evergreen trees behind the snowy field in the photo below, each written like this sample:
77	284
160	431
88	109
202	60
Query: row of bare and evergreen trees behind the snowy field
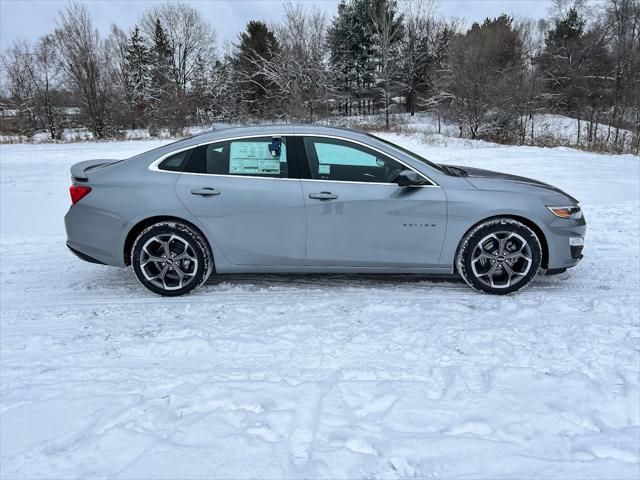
374	57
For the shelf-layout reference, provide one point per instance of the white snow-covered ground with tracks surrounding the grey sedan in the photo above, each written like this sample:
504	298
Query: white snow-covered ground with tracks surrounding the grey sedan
319	375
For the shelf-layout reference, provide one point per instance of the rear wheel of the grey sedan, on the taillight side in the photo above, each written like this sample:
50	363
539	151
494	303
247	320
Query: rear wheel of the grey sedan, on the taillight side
189	264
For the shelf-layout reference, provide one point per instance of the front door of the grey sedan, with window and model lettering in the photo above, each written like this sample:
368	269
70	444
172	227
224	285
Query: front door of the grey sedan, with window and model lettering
357	216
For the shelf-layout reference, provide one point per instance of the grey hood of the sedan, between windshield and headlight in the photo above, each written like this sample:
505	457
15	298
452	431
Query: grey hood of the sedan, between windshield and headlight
490	180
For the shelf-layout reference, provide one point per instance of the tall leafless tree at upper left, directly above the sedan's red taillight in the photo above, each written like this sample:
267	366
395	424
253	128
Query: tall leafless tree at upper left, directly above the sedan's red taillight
84	62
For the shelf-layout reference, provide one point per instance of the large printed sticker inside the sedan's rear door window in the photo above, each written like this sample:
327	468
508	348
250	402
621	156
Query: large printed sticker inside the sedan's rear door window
254	158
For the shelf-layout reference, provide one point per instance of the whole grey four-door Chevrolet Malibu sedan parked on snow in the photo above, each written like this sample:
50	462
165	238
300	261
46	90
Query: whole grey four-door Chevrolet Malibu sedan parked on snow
302	199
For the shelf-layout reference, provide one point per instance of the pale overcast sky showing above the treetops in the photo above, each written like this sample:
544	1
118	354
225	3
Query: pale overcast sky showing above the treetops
32	18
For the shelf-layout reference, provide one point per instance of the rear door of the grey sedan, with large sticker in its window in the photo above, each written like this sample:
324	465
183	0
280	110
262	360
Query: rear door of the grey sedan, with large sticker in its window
242	192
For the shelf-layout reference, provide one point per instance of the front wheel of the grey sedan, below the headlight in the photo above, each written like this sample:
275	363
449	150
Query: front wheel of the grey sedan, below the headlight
493	257
